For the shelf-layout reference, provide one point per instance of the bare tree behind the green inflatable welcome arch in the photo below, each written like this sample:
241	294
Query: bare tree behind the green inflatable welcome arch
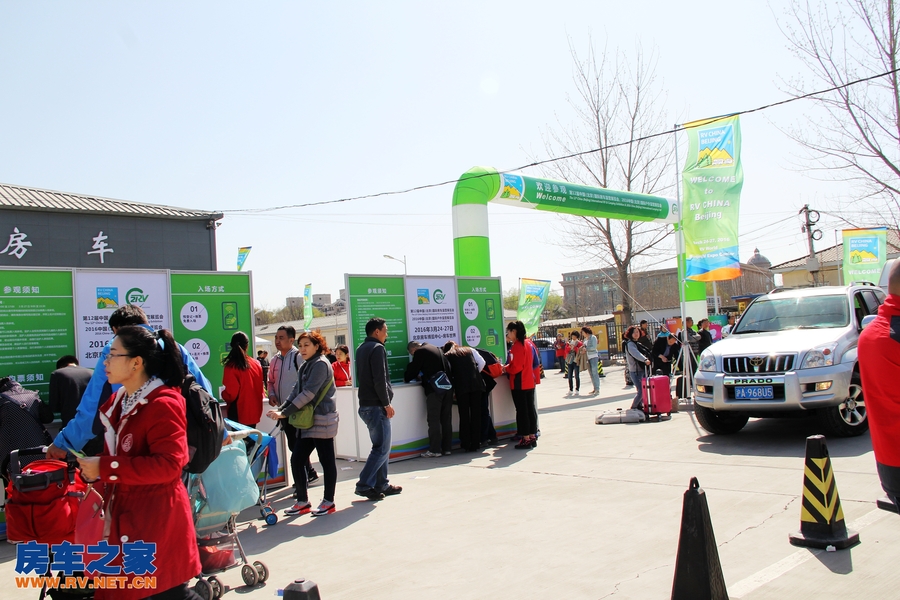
617	101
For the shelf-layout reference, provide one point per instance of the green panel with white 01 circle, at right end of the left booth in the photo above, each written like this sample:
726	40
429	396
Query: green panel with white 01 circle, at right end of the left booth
207	309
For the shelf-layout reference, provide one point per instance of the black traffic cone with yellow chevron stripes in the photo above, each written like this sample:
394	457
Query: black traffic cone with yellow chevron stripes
821	517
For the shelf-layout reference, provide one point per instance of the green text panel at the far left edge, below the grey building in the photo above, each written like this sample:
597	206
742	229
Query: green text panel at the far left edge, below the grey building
37	325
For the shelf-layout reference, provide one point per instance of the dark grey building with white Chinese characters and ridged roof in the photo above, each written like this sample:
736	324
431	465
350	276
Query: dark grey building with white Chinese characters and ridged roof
42	228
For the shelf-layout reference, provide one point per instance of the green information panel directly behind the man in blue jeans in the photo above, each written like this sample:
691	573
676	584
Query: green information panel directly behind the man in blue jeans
380	297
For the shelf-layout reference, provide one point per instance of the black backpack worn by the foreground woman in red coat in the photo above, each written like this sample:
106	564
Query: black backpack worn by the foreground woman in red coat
205	426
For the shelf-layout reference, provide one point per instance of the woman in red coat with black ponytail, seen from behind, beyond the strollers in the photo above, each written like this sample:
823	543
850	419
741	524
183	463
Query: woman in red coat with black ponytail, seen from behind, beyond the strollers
243	383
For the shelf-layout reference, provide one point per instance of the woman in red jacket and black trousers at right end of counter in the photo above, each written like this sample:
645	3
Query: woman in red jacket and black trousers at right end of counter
519	368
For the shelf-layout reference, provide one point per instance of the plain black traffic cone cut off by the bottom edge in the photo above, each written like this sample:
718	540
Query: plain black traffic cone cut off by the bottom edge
698	573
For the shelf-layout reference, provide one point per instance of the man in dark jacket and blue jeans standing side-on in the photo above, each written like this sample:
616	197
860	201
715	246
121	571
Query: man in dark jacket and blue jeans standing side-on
375	395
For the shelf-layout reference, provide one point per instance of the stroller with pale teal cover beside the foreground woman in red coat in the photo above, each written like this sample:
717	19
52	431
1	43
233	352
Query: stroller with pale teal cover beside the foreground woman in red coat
217	496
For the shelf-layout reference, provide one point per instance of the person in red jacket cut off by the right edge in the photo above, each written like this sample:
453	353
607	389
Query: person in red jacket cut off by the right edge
879	365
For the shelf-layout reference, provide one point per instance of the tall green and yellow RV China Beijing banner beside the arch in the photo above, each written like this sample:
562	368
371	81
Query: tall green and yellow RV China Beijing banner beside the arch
712	181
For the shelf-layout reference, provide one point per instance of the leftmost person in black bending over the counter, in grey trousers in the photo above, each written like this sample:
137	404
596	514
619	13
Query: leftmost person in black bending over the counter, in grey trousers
429	361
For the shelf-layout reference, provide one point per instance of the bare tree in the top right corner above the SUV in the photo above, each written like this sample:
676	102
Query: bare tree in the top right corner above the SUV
856	135
